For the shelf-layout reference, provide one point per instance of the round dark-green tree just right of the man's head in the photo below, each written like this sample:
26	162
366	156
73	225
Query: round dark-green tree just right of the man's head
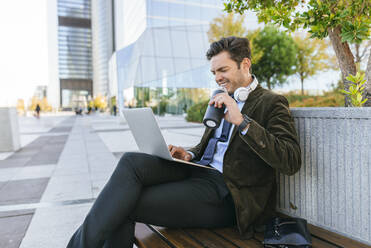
279	56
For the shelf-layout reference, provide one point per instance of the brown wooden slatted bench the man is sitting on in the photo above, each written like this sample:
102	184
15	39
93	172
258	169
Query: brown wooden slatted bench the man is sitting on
147	236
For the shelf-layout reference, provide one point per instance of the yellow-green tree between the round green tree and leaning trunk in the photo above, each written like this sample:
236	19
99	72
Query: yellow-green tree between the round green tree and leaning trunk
312	57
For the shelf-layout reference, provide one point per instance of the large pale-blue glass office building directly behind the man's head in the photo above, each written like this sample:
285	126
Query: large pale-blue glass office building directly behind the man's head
162	58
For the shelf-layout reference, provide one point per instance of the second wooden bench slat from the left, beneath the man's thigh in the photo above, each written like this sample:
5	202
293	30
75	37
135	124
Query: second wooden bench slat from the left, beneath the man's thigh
177	237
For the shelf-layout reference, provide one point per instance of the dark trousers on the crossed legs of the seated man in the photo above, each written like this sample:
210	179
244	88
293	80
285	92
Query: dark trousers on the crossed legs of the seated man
148	189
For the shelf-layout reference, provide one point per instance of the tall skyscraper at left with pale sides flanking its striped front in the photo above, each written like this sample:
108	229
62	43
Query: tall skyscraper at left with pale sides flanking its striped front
80	44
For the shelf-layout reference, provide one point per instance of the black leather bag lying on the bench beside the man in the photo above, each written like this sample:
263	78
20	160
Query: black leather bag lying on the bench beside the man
287	233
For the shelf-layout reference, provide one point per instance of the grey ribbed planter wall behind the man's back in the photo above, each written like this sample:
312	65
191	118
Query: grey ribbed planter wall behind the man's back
333	188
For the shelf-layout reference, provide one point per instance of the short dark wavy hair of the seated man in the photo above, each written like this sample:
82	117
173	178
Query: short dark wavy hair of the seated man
238	48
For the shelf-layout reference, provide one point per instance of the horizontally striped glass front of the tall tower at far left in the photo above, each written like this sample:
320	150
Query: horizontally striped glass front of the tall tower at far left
74	52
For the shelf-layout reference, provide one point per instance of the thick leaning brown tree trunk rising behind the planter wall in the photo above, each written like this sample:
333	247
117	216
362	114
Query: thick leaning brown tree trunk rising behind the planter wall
344	56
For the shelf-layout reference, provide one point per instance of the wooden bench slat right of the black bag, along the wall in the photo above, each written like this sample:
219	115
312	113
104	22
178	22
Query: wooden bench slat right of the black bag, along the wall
335	238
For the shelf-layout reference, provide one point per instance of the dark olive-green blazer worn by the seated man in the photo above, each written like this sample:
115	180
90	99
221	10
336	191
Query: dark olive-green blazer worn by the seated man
251	160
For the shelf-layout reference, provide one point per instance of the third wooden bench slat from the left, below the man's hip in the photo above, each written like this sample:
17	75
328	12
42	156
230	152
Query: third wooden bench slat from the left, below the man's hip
208	238
